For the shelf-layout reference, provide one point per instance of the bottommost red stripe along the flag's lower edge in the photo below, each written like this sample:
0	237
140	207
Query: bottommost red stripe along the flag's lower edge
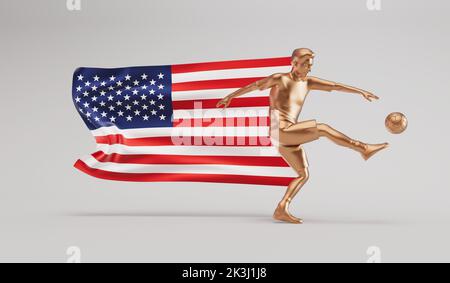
177	177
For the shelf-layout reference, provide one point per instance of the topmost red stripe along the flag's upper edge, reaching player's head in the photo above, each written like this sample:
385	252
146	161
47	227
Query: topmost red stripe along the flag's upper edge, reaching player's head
234	64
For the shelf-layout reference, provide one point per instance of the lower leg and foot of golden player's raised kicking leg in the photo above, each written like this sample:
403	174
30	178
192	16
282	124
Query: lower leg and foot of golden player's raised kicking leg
366	150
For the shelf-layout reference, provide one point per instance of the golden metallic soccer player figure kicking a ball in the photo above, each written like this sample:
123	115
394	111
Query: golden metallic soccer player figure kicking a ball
287	95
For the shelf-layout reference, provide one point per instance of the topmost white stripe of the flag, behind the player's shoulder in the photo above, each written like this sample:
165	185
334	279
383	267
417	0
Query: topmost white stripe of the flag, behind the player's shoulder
228	74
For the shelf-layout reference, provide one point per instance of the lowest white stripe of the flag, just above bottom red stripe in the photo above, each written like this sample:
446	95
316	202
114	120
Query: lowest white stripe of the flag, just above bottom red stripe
190	169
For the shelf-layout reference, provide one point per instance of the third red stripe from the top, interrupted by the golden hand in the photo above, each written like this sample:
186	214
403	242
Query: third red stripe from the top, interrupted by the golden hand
211	103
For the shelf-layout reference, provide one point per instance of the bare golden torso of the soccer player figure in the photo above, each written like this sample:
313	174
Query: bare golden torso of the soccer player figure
288	97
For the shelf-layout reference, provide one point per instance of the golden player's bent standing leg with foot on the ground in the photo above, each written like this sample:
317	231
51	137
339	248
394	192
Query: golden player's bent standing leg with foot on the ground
296	158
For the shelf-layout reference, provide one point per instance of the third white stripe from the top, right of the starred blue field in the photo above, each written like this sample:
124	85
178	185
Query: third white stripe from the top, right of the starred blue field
220	113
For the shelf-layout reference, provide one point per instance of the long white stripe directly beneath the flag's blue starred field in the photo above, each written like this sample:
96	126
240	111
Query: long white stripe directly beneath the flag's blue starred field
262	131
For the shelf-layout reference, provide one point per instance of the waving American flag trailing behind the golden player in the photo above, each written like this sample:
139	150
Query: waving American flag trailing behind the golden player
161	124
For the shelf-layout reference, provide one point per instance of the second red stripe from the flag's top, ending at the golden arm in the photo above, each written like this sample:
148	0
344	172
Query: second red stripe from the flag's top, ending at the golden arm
214	84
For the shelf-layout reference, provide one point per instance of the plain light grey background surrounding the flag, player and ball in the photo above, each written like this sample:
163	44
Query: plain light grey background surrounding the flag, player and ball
398	201
